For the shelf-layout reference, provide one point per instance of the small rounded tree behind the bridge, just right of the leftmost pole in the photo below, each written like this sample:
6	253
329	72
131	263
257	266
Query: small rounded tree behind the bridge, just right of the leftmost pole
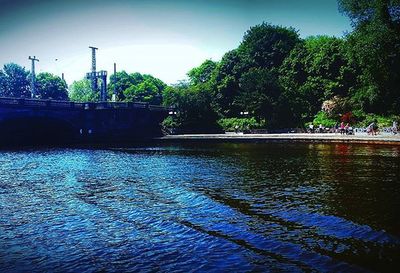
50	86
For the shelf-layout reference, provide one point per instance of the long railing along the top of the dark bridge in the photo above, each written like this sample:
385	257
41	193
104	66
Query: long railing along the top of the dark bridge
79	105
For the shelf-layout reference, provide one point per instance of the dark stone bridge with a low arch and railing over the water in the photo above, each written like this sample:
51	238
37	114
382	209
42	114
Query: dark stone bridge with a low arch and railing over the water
31	121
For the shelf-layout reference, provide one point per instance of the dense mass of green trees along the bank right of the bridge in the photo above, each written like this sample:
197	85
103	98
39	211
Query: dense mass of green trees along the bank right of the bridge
284	81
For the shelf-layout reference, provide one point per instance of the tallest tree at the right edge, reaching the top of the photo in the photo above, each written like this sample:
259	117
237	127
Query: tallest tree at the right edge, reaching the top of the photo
374	46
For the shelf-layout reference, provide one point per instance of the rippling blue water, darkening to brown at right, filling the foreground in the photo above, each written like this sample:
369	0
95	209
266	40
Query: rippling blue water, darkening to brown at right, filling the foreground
201	208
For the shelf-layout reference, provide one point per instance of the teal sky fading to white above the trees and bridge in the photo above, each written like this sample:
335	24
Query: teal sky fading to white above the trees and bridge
164	38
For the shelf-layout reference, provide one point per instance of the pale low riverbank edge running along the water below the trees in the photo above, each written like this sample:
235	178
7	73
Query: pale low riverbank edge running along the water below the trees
292	137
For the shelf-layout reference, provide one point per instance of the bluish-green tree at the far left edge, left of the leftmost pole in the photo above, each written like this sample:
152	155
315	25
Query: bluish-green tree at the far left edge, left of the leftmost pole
14	81
